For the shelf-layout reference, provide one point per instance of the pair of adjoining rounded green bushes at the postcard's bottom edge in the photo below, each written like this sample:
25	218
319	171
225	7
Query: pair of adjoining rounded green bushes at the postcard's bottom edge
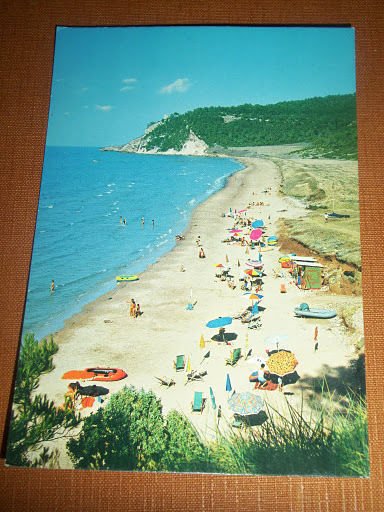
131	433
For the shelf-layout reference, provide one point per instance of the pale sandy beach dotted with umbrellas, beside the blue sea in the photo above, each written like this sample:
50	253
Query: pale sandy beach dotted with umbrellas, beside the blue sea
104	334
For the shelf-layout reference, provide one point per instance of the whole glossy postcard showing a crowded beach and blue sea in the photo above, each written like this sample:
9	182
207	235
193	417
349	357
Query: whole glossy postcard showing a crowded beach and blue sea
194	300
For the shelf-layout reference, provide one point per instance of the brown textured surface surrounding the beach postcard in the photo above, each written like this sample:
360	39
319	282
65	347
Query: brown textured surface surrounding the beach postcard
26	46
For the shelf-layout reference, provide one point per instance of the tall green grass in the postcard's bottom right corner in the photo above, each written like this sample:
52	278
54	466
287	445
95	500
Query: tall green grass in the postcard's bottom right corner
329	443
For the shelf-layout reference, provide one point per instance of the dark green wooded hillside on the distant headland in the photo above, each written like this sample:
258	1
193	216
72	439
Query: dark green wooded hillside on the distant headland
327	125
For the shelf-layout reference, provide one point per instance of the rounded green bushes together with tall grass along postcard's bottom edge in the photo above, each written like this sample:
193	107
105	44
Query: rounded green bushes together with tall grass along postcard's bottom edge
131	433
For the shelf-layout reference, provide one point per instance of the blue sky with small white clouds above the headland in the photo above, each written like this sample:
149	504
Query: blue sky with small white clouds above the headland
109	83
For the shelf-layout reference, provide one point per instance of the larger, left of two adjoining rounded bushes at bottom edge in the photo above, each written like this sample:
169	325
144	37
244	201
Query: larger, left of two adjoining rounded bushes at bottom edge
129	433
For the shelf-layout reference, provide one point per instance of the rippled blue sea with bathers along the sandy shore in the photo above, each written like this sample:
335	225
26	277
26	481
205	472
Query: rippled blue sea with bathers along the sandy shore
81	241
